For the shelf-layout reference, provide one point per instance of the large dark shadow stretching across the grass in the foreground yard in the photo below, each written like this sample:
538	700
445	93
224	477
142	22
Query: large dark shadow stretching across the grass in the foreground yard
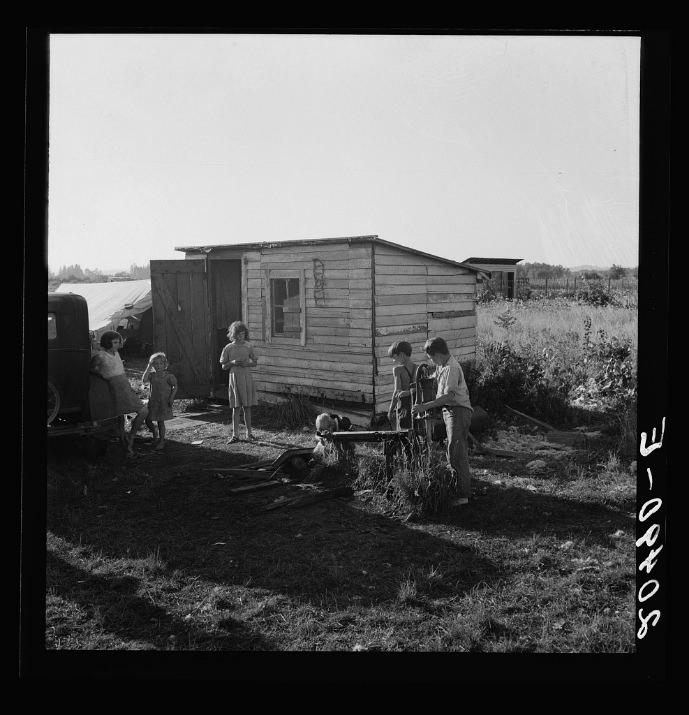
325	554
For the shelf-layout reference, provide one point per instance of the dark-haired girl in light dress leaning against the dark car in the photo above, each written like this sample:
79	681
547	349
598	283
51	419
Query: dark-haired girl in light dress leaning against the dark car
108	364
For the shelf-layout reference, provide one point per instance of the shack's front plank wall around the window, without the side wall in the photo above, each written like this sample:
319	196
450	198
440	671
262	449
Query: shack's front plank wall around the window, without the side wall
336	361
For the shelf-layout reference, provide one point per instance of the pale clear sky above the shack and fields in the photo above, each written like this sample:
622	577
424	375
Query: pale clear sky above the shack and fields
463	145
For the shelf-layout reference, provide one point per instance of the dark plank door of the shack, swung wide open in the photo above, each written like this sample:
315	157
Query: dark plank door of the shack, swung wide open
182	323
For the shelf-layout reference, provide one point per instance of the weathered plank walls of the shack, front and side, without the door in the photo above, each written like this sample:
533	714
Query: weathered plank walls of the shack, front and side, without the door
359	296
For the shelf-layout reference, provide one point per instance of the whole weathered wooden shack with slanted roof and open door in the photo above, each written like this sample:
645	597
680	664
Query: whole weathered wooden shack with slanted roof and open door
321	314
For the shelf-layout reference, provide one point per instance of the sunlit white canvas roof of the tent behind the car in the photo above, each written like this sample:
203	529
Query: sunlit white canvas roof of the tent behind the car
111	303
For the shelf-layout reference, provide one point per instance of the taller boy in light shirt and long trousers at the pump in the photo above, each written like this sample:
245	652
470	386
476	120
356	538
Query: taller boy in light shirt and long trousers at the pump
453	397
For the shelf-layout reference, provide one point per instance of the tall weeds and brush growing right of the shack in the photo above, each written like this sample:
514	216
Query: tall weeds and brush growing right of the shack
544	355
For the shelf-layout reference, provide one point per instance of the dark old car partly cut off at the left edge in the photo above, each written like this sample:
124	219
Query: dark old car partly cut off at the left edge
69	378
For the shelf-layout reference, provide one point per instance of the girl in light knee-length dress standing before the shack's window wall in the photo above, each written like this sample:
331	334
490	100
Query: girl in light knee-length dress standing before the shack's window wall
238	357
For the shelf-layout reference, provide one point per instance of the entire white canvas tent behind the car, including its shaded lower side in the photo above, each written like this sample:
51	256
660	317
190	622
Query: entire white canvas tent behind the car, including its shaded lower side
120	305
